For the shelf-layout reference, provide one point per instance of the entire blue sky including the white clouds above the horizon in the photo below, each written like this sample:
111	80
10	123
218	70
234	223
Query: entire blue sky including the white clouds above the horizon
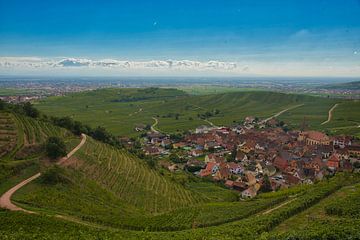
138	37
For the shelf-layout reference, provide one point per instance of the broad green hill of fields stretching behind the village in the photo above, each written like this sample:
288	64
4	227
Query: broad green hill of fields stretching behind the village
177	111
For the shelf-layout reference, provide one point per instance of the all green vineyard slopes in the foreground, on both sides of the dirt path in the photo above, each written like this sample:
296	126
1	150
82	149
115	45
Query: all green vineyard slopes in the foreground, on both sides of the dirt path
104	192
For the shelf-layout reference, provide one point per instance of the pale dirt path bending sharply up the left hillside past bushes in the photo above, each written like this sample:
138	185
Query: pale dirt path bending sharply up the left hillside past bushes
5	199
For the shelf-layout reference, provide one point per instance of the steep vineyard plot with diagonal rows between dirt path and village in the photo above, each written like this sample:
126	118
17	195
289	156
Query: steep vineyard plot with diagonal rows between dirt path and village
130	179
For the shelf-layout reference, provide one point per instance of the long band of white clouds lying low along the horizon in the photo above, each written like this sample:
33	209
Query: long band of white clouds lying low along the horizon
84	66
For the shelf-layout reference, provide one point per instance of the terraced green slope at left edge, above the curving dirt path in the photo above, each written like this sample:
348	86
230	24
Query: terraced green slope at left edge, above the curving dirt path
21	146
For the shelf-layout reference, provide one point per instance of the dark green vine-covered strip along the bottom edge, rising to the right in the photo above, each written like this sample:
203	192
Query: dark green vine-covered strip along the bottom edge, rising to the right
272	223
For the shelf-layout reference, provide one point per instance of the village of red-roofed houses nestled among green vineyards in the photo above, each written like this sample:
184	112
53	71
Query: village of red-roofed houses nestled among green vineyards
256	156
